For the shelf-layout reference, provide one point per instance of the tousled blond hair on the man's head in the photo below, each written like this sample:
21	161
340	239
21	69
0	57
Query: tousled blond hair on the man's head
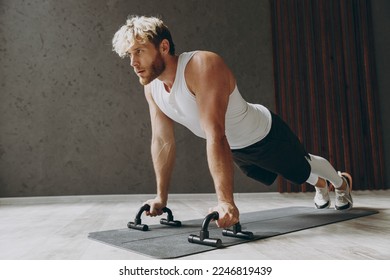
141	29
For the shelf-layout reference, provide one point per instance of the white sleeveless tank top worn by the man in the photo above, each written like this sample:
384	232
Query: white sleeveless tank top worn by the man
245	123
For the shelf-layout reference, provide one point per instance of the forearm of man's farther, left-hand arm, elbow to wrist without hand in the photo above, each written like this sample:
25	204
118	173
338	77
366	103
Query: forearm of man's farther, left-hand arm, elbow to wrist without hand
163	155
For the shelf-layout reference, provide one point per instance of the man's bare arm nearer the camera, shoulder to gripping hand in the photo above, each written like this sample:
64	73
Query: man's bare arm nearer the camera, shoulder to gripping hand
212	83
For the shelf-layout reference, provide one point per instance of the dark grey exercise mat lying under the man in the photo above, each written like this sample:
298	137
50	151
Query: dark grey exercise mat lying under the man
166	242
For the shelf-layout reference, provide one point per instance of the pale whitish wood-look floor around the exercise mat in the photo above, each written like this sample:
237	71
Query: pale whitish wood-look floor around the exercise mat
49	228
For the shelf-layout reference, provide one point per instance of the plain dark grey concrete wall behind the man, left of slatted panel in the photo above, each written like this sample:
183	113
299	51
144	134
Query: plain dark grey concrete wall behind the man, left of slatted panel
73	119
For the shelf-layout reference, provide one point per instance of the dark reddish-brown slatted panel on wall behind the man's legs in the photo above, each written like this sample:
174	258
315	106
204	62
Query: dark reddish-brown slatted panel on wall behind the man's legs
325	85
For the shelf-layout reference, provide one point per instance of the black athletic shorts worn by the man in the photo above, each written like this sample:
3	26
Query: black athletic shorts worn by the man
279	153
